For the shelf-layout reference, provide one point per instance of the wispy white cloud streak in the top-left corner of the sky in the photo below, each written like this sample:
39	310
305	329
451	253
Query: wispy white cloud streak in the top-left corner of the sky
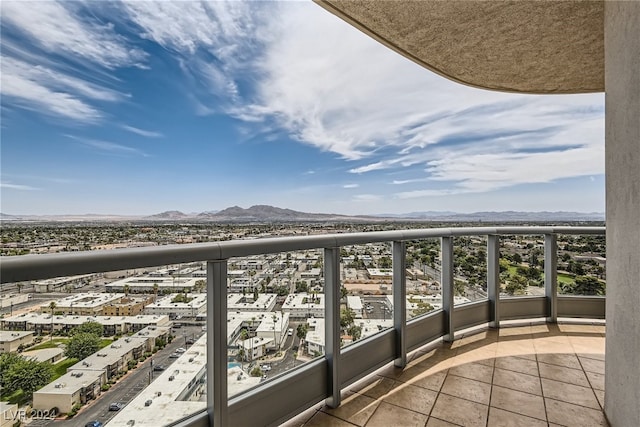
60	29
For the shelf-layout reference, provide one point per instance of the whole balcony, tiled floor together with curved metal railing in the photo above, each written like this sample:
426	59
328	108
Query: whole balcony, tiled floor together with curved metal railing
428	382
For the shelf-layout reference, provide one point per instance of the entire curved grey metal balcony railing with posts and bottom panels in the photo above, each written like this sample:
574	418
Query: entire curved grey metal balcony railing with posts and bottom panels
323	378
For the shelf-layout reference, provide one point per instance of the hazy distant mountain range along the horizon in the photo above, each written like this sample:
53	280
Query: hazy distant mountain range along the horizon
266	214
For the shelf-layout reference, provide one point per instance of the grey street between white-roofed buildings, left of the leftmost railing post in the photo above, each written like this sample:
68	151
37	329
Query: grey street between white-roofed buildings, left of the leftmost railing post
127	388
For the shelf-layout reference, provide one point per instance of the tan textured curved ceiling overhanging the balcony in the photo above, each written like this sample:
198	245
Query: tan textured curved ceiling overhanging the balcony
513	46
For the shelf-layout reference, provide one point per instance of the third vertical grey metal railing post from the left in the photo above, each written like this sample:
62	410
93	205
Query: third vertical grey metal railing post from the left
399	287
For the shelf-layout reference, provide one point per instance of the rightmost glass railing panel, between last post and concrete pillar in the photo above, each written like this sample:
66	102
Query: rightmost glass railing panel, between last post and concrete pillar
581	265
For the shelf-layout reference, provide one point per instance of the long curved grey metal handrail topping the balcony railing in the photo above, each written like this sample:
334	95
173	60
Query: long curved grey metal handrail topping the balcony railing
36	267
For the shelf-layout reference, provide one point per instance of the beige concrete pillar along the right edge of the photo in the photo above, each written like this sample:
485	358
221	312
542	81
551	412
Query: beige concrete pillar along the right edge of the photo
622	124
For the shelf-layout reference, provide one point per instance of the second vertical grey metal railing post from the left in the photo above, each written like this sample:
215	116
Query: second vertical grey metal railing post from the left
332	323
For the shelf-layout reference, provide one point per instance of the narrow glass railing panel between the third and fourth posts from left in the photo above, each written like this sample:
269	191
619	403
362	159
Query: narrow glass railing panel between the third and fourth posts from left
424	292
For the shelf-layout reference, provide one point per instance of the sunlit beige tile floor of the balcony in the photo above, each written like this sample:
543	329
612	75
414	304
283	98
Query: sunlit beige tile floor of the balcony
525	375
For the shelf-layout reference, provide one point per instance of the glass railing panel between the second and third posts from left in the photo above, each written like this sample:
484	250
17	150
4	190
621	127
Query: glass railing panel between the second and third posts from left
366	304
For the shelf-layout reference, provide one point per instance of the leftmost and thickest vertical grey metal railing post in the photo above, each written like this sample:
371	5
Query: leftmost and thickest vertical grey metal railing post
217	394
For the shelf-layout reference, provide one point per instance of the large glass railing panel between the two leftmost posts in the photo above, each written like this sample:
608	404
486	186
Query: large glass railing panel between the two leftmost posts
276	309
